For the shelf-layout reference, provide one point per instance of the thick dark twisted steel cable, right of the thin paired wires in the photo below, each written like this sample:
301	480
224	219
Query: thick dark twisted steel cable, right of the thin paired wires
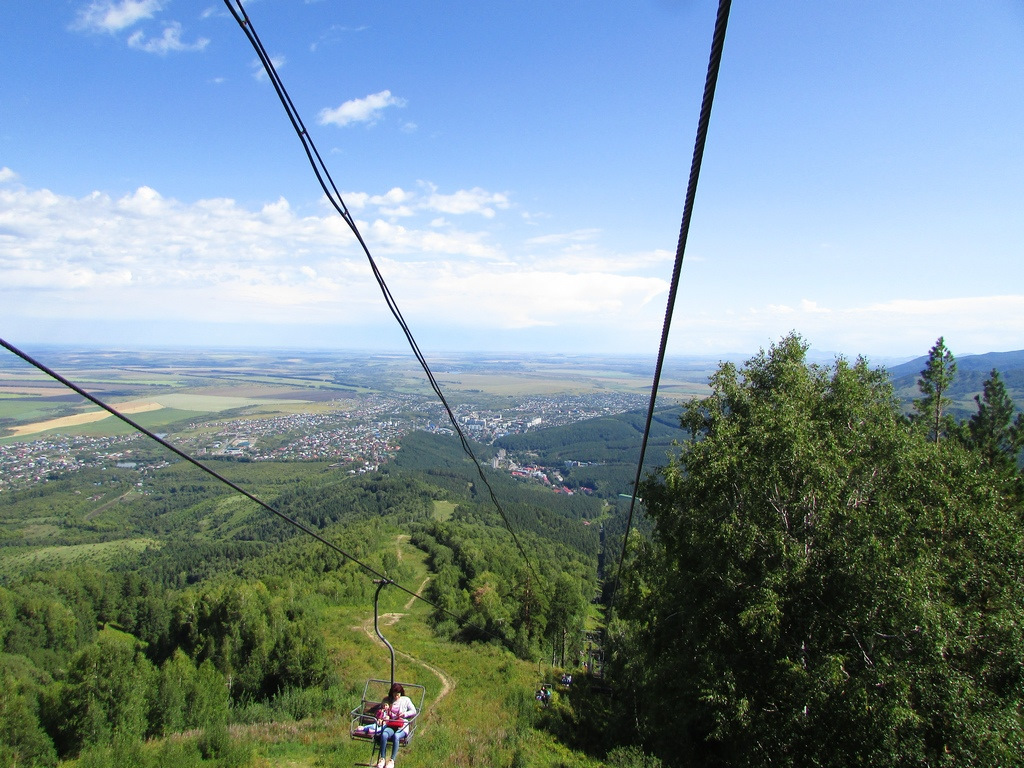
711	81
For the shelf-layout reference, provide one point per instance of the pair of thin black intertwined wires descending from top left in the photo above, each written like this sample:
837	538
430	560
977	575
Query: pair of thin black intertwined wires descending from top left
334	196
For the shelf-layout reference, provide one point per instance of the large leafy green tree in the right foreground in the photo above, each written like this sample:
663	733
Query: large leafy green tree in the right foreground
825	586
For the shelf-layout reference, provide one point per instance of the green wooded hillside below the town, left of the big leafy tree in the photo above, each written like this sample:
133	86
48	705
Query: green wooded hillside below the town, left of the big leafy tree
218	620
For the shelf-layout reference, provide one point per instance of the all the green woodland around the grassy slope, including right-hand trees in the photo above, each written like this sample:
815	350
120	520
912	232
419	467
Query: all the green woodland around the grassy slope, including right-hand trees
823	574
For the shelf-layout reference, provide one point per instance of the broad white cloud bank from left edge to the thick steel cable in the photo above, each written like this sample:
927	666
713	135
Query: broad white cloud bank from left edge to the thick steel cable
146	258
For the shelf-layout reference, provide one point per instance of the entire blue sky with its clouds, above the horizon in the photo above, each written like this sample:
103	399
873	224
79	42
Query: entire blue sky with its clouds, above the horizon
519	172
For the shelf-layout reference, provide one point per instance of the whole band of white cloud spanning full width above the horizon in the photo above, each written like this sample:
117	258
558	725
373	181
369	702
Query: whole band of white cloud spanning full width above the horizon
145	257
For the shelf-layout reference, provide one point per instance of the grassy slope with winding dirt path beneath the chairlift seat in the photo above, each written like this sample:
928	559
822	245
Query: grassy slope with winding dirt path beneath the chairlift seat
480	709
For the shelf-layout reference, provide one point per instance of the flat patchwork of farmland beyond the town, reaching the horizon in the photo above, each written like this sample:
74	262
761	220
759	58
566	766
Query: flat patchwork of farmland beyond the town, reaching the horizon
164	388
